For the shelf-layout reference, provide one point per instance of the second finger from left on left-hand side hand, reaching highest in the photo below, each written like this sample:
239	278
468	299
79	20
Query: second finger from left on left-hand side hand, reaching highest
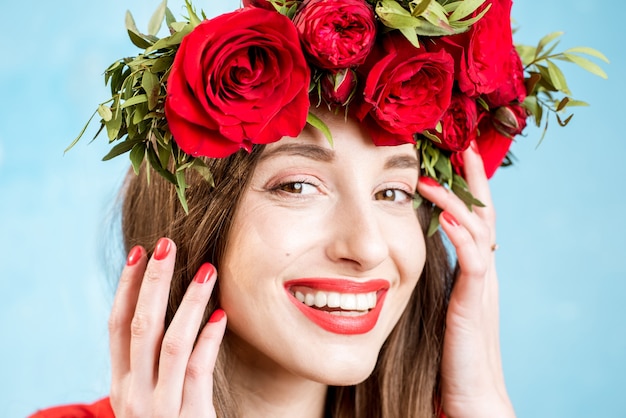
148	322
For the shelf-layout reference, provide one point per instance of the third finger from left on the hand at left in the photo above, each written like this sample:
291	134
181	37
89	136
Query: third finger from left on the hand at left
182	332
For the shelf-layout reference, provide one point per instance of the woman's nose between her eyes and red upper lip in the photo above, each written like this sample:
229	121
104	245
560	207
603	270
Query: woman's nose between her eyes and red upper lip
357	238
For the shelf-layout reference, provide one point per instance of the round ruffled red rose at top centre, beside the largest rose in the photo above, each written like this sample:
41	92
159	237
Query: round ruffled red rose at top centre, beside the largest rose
336	34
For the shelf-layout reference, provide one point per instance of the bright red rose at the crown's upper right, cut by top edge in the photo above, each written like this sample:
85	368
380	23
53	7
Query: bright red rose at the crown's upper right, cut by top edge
481	54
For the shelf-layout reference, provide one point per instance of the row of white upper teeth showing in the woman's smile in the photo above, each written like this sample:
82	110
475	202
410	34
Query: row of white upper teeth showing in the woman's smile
336	303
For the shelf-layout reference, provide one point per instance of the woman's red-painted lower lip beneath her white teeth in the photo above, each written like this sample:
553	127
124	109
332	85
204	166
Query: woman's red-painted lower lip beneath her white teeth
346	325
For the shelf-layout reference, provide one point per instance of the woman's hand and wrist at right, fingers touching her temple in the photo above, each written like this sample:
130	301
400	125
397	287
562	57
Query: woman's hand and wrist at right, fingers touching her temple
471	367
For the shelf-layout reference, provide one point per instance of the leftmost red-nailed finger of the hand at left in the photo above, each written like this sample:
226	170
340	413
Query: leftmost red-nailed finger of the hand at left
123	311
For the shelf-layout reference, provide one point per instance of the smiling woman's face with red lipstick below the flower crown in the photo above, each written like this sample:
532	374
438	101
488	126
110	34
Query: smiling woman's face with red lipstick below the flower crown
324	253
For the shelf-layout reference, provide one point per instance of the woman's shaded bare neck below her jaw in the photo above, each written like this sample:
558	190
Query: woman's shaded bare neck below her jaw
264	389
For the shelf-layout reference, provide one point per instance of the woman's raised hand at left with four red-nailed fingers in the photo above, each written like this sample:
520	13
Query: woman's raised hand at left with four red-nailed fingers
157	372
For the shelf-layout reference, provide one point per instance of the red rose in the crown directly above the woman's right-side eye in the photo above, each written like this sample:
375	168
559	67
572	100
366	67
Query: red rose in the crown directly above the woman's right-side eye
407	90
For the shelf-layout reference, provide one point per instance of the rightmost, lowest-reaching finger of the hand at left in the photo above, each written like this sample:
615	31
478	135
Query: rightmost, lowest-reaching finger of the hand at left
198	389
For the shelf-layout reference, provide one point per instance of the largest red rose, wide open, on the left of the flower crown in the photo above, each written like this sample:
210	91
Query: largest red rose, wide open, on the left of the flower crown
238	79
